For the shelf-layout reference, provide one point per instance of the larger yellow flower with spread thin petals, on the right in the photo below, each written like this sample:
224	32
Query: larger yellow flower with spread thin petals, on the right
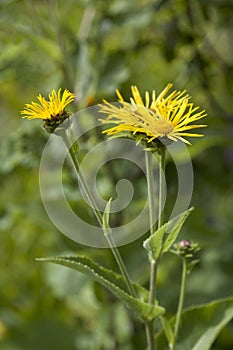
170	116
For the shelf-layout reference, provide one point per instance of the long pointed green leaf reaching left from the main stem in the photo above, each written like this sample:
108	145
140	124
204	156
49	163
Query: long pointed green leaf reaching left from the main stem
114	282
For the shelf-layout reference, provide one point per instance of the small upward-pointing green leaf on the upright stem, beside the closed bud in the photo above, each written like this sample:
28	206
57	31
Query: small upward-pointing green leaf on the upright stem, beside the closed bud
161	240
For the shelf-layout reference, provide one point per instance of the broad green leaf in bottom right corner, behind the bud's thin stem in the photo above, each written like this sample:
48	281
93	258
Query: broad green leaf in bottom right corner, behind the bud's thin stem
200	325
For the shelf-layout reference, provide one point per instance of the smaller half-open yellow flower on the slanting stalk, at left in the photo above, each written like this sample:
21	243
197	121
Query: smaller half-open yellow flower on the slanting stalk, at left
52	110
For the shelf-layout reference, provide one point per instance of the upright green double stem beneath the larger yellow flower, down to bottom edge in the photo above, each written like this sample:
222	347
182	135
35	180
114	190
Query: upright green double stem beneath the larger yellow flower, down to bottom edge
151	202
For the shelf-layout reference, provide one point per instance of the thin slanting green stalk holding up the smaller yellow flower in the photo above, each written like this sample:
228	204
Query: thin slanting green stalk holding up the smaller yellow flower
98	215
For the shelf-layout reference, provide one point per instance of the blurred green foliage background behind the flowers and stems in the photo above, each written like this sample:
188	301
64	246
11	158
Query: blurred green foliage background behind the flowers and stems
92	48
